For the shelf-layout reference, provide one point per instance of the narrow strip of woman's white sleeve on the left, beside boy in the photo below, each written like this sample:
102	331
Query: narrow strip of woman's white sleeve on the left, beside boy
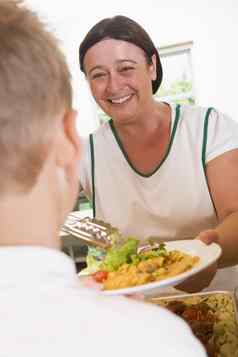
84	167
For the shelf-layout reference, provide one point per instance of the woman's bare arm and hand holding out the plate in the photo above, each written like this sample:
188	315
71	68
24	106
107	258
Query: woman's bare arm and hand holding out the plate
222	178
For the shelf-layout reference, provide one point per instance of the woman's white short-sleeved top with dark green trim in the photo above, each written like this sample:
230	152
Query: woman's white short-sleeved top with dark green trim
174	201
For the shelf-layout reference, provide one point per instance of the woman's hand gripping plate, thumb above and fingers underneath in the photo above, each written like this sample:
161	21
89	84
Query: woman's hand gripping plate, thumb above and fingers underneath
203	279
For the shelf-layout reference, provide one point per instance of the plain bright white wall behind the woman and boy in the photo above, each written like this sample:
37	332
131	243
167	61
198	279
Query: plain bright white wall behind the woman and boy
211	24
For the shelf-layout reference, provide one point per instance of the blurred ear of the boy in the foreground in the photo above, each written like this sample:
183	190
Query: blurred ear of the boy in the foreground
68	151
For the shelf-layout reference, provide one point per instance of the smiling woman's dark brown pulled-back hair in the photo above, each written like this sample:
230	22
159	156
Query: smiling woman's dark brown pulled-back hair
125	29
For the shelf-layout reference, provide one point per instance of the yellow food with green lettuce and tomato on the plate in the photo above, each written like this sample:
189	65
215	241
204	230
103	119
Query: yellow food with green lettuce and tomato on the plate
128	265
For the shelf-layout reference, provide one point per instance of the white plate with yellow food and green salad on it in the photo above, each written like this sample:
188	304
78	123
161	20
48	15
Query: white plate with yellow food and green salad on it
130	269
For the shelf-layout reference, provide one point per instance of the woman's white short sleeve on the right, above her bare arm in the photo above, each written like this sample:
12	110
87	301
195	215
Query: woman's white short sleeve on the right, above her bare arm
222	135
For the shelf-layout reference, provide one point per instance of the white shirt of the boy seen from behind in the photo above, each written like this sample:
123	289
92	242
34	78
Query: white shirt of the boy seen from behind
44	311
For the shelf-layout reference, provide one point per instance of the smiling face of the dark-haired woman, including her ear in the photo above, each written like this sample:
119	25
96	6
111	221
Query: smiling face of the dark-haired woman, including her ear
120	78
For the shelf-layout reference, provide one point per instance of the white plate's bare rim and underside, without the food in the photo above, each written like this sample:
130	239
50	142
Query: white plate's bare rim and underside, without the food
208	254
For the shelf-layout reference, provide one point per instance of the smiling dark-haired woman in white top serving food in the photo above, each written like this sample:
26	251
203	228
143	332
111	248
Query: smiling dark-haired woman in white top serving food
155	168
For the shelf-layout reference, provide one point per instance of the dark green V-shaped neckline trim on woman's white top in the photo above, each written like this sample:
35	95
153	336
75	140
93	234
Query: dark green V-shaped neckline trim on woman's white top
177	116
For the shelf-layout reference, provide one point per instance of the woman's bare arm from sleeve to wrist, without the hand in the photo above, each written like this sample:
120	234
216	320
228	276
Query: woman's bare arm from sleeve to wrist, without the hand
222	178
